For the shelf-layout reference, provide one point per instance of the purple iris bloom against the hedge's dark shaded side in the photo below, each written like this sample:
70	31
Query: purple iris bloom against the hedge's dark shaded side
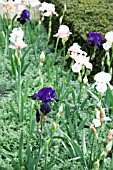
95	38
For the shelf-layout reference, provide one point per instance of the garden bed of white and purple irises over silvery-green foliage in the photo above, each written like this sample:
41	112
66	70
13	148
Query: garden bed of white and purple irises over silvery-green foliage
51	117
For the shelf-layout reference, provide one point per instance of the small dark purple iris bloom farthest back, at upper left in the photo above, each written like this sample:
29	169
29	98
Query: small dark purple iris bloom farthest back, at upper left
25	15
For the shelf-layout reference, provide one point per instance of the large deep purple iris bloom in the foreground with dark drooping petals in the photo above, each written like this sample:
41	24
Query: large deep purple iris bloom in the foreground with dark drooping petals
45	95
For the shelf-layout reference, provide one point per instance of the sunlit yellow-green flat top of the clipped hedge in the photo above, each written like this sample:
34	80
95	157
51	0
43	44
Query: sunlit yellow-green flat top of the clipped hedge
84	16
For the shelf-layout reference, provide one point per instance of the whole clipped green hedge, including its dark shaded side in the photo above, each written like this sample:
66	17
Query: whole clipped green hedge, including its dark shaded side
83	17
